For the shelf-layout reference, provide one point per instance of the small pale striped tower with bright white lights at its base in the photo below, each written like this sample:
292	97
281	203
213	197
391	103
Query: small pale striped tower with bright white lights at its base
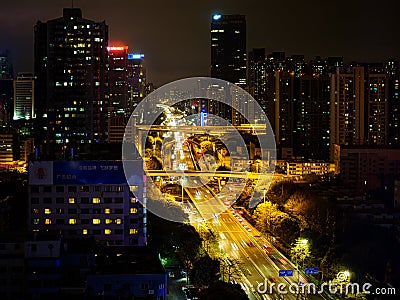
24	96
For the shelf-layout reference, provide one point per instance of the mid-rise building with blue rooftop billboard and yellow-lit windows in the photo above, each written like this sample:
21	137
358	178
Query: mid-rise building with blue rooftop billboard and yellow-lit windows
87	199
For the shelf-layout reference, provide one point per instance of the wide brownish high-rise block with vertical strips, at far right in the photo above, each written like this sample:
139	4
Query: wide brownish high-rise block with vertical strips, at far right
359	106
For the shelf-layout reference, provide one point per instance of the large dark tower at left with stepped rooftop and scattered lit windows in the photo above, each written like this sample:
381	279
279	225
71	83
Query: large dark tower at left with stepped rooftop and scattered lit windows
70	61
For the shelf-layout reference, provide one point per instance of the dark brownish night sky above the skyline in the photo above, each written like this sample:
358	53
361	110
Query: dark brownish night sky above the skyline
174	35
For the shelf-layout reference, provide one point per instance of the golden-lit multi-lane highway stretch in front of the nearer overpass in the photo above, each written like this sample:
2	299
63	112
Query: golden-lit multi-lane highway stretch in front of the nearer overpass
258	262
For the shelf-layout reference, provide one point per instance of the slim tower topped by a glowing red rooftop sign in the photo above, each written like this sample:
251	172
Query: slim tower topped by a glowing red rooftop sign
117	79
